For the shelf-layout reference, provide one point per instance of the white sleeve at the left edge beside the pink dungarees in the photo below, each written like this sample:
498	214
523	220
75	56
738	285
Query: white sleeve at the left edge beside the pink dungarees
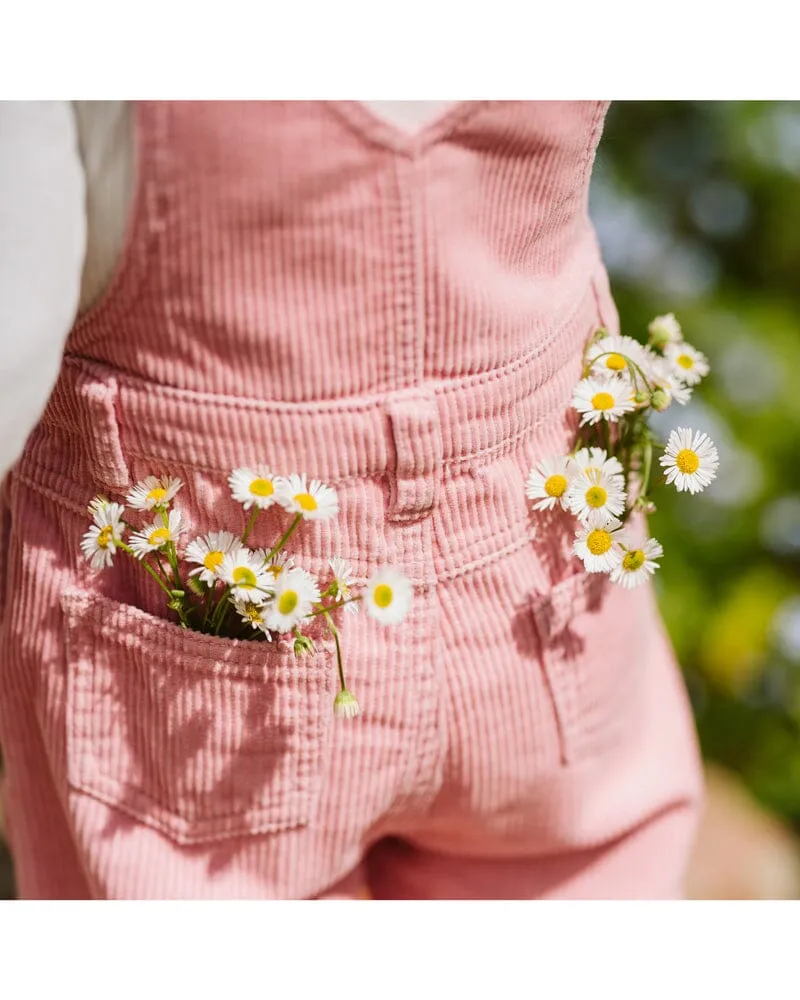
42	245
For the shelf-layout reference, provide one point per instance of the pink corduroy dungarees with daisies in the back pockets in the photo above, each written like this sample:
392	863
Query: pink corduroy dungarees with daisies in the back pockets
403	318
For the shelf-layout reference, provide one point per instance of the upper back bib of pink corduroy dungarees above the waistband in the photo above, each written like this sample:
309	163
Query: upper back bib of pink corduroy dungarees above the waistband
297	251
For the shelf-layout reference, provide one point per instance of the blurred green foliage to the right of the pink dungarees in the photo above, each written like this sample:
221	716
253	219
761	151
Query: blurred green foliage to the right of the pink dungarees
697	206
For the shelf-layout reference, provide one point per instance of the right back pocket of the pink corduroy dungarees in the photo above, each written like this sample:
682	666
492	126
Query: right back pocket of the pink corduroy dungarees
593	638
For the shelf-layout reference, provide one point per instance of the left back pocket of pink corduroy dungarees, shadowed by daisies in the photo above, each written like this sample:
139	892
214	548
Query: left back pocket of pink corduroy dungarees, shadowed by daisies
200	737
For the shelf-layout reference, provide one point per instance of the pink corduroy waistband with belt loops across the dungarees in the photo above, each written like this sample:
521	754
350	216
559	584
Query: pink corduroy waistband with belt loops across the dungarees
442	424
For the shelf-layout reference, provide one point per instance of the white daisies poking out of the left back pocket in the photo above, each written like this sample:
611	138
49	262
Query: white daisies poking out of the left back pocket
219	585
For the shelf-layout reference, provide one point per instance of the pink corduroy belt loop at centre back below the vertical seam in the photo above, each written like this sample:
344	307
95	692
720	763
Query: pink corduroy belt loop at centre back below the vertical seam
417	435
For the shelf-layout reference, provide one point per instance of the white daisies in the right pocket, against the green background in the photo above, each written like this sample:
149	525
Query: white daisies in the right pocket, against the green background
609	472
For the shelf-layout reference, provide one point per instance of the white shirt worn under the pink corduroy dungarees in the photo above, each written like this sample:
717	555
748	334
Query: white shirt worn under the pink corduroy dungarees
66	184
